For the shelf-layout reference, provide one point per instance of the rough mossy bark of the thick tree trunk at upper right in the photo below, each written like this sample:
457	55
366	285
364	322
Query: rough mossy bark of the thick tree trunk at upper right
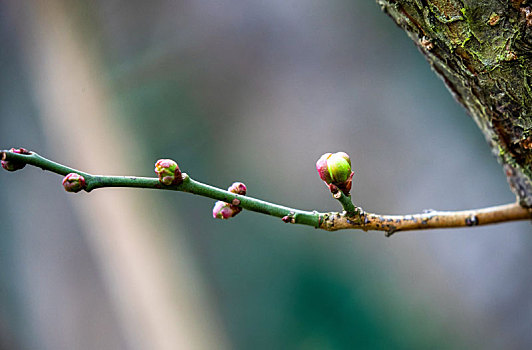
482	51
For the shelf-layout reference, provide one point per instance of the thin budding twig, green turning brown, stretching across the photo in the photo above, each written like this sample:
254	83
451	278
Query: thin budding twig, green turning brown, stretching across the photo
352	217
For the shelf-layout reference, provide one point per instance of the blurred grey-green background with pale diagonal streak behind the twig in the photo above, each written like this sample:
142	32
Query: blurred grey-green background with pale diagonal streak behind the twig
253	91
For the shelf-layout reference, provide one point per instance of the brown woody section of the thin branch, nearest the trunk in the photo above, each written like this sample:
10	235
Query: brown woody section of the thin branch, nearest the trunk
426	220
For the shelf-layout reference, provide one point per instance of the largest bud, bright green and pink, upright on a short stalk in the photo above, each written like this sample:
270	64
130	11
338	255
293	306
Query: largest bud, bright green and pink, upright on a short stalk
335	170
